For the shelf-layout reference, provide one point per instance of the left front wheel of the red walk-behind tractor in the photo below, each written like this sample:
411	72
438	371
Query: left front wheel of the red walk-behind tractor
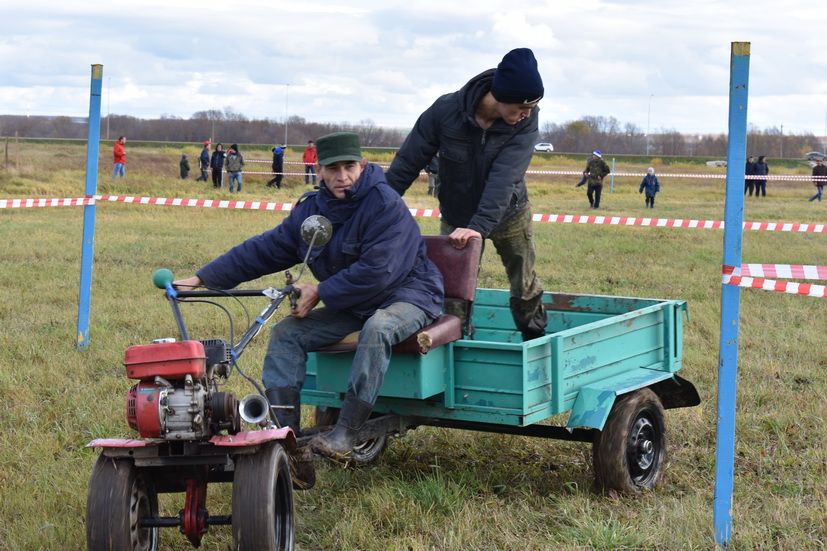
119	497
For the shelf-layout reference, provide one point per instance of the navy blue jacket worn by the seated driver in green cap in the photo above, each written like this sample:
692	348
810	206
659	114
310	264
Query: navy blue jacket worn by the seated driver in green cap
376	256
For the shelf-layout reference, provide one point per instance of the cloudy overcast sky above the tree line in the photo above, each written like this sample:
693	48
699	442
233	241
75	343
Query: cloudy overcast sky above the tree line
661	64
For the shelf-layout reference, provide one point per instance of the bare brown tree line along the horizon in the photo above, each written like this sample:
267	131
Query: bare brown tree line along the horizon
578	136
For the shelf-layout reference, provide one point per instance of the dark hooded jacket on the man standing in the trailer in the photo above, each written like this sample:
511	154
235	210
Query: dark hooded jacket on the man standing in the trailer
481	171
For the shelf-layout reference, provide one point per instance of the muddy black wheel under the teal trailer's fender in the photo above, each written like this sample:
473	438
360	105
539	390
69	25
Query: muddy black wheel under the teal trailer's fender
629	454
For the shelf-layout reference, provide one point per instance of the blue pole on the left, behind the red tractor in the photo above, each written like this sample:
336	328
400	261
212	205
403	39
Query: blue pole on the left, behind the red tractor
88	250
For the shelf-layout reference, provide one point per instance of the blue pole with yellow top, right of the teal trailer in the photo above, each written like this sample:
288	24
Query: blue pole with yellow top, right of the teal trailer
731	294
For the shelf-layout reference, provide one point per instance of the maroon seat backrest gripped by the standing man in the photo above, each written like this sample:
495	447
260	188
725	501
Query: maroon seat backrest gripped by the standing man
459	267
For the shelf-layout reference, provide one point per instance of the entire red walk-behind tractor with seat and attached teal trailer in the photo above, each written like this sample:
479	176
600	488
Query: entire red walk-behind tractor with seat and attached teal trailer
610	363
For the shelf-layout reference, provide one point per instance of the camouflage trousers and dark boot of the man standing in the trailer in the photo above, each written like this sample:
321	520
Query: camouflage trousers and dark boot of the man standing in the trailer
514	241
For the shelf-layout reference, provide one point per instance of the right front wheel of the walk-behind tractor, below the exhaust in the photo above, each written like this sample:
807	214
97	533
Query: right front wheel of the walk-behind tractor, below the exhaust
263	500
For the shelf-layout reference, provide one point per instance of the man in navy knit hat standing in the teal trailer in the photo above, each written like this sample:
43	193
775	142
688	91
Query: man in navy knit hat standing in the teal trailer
485	135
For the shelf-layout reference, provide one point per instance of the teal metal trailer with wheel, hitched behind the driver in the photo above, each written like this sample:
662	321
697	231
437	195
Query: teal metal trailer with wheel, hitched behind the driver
610	362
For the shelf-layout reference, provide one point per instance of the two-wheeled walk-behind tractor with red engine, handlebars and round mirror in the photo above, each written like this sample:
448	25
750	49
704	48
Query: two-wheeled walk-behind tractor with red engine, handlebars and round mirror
190	434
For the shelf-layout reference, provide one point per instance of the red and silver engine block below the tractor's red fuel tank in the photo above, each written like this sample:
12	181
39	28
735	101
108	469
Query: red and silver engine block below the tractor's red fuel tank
158	409
